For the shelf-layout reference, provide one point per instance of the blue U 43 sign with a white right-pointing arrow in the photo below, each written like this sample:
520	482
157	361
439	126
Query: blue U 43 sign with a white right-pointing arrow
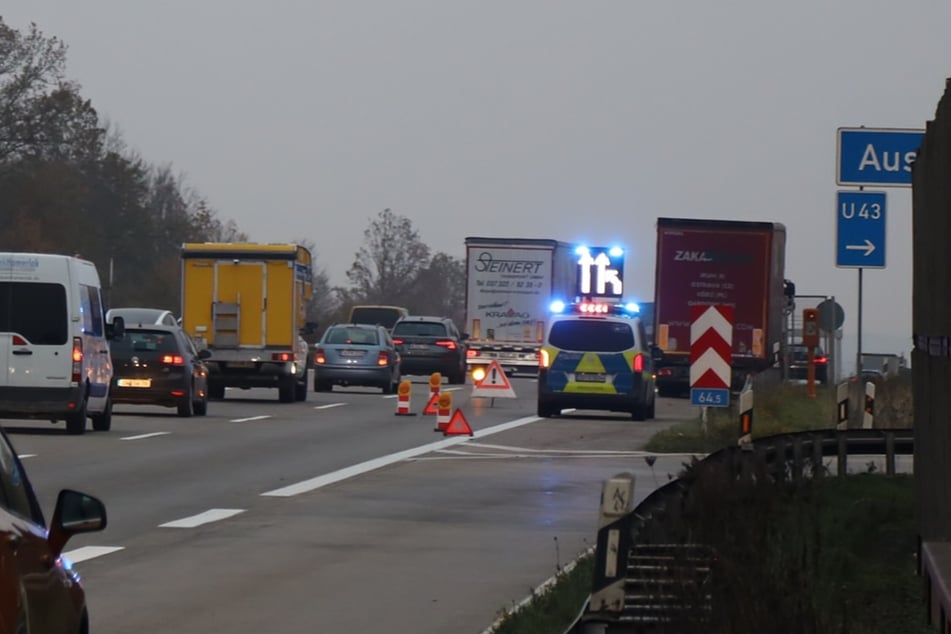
860	224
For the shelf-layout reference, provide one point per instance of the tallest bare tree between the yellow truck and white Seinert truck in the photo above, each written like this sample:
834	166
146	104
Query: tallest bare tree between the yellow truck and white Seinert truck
385	268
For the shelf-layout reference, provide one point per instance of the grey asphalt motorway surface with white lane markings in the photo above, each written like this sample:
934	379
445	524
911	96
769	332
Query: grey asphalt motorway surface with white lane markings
334	514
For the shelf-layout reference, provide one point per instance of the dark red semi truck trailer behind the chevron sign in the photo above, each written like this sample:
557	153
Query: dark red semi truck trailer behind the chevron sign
737	263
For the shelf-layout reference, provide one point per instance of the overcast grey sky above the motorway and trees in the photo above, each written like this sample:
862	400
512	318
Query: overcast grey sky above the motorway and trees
579	121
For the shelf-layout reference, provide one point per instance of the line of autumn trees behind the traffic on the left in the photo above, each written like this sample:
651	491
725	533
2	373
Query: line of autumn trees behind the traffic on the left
70	184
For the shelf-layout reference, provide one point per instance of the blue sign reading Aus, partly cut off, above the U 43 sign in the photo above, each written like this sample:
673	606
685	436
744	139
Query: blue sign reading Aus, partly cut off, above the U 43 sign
876	156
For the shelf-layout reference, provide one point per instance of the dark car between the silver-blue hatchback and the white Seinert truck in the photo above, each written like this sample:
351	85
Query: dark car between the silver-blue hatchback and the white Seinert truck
431	344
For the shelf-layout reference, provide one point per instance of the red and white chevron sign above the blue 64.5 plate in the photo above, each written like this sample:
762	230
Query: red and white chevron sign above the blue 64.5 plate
711	346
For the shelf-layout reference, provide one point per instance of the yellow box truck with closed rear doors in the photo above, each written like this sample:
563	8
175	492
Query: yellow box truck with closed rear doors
246	303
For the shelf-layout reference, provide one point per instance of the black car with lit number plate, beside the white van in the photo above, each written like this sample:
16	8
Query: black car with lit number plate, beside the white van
159	365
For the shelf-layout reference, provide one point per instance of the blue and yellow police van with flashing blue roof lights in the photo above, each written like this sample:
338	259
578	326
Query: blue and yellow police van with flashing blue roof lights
596	356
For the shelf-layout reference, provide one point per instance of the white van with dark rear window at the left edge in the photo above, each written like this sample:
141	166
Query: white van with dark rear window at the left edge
54	354
